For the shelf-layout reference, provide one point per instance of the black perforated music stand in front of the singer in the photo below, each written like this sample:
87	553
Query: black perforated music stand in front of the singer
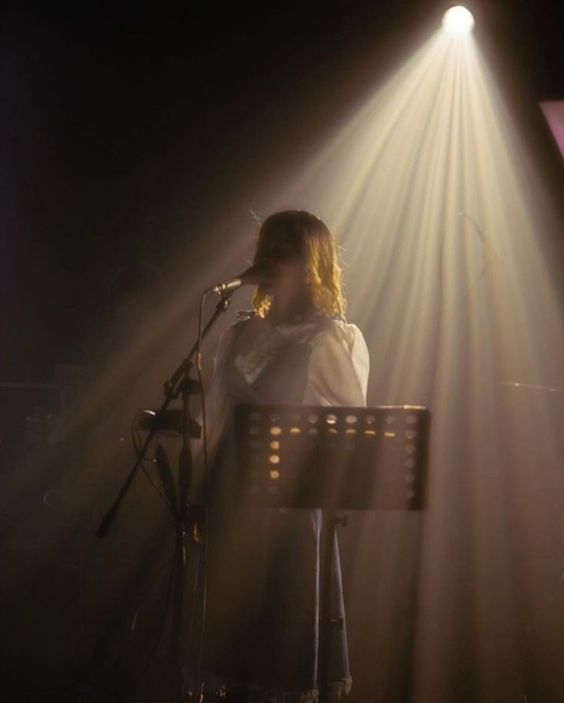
331	458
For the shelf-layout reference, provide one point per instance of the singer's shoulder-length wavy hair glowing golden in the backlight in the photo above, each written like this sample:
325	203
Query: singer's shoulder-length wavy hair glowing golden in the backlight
299	233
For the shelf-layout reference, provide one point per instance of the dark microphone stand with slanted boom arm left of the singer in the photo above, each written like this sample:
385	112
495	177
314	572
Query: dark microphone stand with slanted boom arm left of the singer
179	384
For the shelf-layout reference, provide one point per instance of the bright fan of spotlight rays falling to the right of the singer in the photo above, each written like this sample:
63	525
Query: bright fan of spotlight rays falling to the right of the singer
449	236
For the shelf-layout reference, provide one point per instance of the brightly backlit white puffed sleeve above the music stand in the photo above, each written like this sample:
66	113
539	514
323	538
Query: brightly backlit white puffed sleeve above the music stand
338	367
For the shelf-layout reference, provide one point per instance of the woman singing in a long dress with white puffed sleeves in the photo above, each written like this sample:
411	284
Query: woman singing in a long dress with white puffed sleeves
263	566
